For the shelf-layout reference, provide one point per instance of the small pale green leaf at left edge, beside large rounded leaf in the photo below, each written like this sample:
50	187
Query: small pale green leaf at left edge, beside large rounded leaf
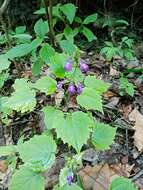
8	150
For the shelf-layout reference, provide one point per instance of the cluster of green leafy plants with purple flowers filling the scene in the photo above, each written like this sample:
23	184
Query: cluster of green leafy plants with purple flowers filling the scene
67	72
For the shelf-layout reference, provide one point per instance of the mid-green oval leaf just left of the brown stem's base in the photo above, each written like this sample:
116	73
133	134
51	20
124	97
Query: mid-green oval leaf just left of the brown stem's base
45	52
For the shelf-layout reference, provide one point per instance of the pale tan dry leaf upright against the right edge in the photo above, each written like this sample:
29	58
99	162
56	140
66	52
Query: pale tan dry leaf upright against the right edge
136	116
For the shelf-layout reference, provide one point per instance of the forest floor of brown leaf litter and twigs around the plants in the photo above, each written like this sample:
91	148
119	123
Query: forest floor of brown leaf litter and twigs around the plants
125	157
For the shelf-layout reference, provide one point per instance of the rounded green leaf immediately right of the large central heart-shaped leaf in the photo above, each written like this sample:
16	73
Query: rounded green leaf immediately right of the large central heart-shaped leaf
103	136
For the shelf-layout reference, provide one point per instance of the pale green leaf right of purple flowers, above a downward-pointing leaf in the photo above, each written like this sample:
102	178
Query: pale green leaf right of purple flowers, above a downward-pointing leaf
99	85
